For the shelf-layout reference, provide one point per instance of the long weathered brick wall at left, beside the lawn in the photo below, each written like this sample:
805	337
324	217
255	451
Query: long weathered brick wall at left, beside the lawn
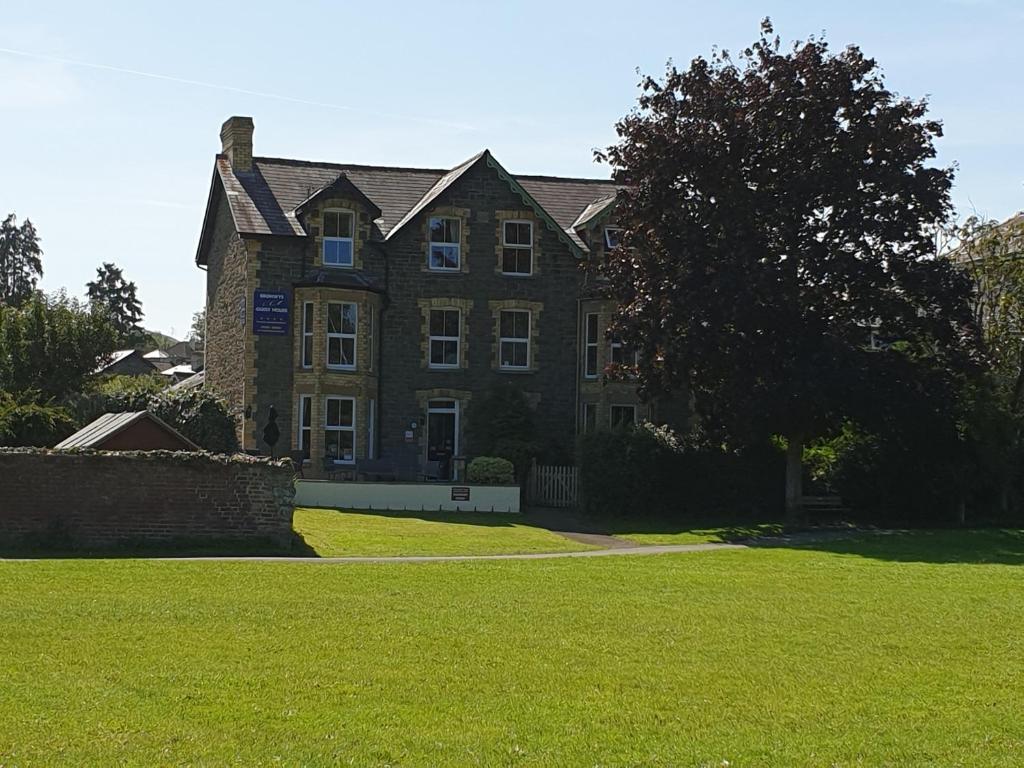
87	499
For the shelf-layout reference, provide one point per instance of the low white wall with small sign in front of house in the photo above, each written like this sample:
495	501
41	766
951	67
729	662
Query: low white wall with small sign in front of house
406	496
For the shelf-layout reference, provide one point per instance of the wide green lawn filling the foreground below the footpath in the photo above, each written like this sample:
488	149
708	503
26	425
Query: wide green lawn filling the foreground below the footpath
901	651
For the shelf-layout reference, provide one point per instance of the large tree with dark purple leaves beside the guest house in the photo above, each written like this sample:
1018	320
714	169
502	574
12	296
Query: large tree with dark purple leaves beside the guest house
778	207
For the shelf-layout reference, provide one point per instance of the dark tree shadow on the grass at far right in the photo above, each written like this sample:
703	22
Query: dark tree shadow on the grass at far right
964	546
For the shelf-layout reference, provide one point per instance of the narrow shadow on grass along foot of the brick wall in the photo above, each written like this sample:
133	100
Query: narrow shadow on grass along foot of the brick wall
36	550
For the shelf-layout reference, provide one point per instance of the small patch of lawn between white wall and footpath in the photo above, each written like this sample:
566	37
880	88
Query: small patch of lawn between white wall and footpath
336	534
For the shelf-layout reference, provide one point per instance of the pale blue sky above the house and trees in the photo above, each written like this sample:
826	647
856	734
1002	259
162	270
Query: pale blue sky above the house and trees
110	113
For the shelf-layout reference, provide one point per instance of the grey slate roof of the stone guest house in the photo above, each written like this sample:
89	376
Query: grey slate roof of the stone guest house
265	200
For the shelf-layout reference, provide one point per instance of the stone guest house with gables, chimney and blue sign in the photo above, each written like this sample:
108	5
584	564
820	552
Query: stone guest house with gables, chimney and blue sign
371	306
